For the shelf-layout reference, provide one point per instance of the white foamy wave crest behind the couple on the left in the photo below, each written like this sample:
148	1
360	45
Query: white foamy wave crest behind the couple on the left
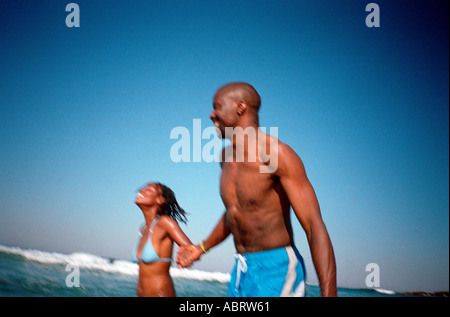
94	262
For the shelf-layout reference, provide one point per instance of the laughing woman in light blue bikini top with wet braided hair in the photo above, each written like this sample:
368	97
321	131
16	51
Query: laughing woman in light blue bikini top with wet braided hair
154	250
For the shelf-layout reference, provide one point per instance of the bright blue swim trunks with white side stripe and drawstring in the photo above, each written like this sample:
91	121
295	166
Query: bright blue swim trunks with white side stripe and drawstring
272	273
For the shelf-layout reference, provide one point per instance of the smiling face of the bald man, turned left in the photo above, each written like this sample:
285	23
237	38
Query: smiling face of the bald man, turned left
224	112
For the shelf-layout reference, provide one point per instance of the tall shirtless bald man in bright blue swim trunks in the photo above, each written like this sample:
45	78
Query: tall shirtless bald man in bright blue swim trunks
258	205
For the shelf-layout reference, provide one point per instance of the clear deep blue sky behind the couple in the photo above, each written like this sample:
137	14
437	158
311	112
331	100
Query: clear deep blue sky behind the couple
86	115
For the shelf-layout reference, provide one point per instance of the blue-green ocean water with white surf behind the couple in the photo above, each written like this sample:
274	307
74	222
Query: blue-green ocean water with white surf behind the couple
30	273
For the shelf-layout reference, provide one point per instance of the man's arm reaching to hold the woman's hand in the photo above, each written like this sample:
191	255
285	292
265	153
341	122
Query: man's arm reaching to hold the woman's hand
187	255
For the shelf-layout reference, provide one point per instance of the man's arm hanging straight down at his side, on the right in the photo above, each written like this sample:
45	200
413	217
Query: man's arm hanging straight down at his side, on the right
306	207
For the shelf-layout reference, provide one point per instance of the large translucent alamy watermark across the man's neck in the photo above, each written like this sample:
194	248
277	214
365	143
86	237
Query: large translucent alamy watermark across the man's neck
250	140
